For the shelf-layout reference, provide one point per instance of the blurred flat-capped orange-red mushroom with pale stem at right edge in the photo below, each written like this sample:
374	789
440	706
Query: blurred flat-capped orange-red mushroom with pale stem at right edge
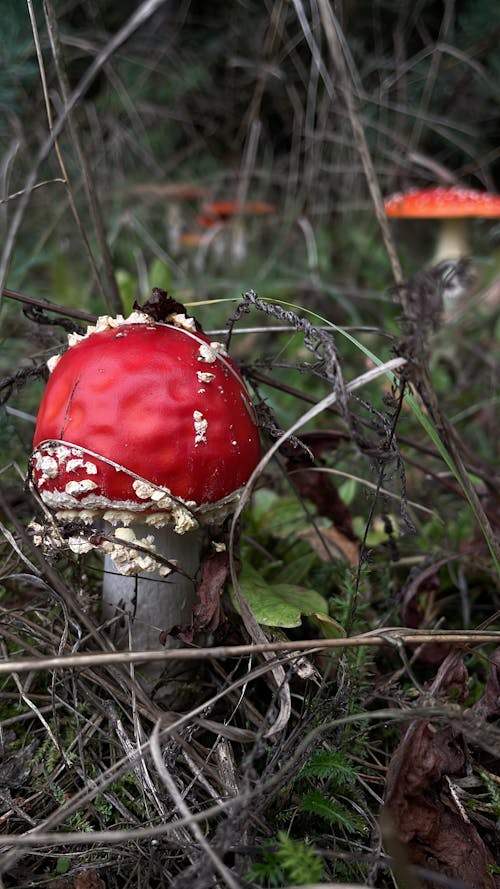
453	206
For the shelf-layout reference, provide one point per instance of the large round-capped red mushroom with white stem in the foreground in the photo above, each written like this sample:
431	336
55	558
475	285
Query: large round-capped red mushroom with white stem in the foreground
146	426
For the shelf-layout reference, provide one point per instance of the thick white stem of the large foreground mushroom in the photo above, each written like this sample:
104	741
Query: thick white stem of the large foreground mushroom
150	601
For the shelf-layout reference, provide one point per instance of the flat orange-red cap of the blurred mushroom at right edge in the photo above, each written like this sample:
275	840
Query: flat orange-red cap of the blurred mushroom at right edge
442	203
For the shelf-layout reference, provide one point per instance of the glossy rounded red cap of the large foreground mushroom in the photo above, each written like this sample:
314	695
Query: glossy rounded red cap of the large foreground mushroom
139	411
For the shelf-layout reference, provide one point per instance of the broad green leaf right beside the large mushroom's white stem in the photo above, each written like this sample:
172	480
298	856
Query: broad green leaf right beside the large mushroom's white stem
277	604
